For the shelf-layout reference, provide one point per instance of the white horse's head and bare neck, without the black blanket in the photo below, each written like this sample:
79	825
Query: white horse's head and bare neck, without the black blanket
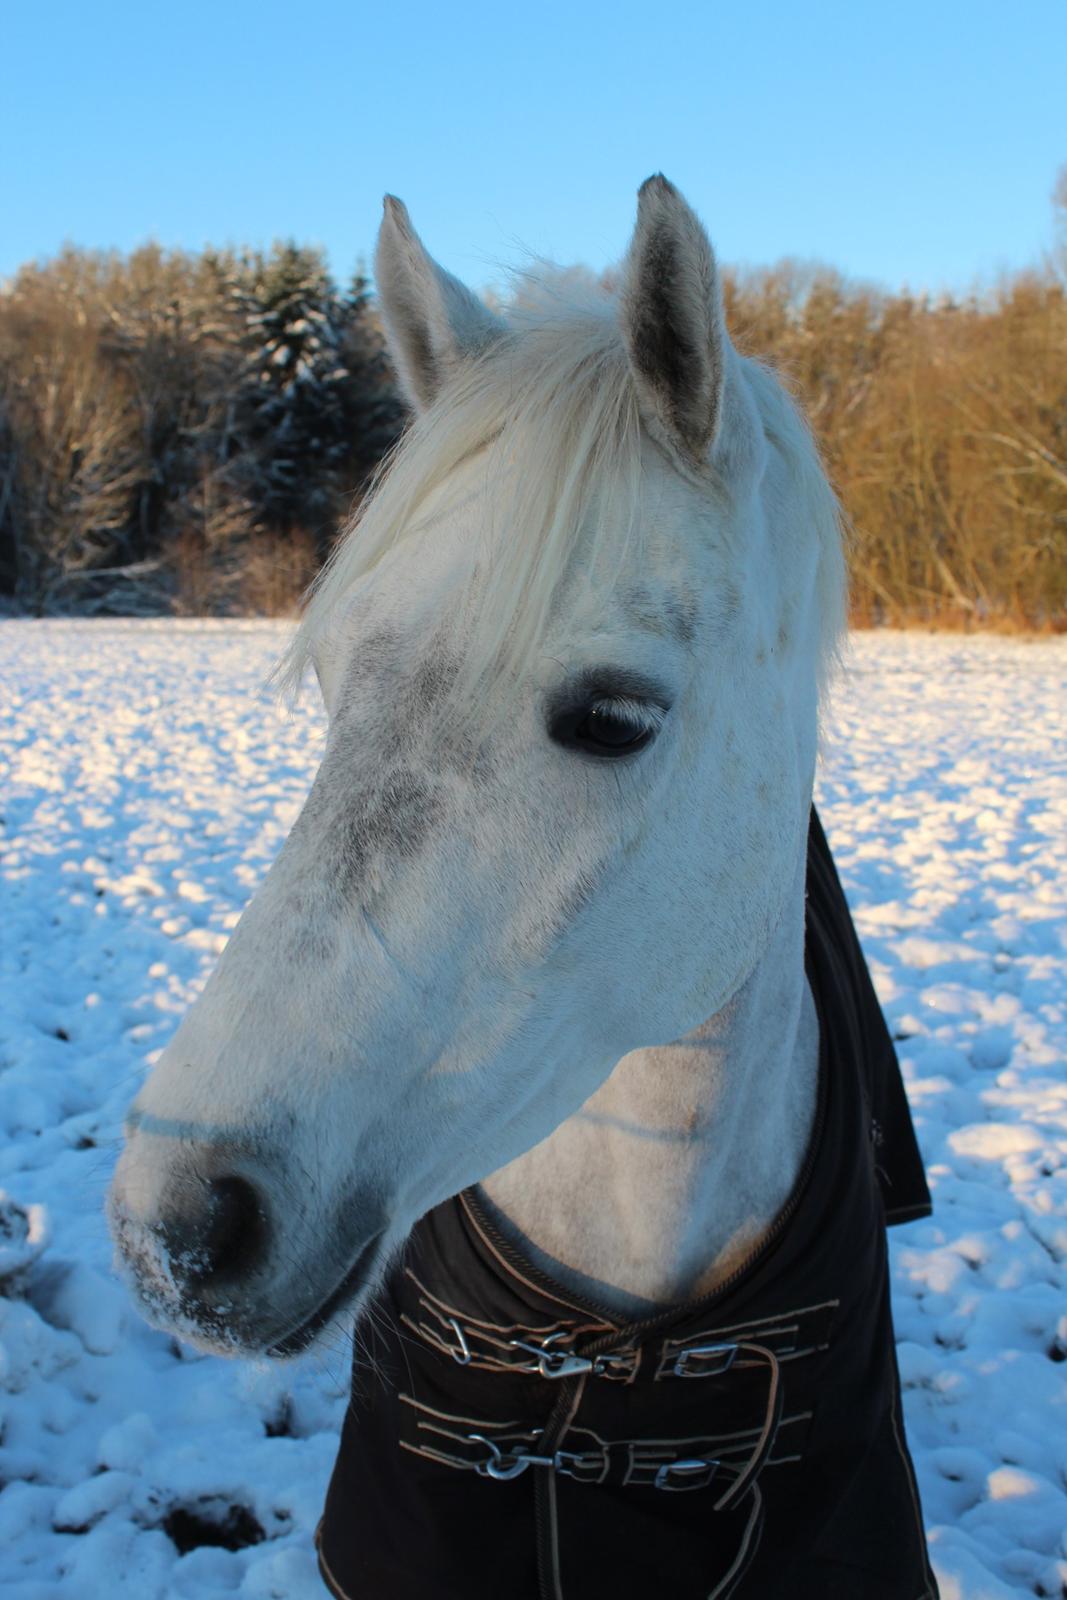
540	924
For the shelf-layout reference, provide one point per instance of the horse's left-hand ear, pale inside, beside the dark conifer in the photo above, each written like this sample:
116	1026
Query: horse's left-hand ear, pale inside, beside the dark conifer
433	322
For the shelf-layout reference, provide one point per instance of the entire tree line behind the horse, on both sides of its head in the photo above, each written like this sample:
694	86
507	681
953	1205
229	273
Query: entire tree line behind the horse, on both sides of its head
185	433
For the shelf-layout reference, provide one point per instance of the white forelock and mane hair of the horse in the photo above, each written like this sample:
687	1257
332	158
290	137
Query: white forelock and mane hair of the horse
554	410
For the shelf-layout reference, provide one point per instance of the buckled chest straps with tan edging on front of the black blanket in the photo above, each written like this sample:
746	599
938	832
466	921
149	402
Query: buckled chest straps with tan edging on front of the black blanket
573	1351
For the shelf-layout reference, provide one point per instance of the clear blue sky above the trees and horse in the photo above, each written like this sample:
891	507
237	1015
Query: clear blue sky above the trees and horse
901	143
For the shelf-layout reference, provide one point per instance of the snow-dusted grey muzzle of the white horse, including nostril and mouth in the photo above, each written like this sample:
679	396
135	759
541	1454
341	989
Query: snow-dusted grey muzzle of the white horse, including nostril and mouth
220	1247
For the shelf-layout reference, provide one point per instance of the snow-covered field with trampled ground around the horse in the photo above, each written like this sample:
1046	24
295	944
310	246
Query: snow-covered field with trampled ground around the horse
148	780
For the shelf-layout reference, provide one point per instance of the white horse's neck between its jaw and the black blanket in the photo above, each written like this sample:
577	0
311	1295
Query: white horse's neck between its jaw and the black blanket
679	1166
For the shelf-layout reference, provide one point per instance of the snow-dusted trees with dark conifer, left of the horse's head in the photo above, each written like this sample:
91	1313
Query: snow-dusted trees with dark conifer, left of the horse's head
183	431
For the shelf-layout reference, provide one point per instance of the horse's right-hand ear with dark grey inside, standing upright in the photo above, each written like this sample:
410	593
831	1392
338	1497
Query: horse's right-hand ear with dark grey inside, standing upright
673	321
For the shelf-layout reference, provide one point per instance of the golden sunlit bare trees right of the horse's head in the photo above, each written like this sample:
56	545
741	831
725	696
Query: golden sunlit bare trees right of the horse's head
945	430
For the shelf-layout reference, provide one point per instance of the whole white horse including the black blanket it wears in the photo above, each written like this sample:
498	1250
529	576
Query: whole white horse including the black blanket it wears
541	929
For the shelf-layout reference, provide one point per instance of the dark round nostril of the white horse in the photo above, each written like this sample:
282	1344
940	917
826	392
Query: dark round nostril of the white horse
222	1236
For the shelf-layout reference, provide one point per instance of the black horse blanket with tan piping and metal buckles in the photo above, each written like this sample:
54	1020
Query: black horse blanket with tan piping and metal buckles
508	1441
